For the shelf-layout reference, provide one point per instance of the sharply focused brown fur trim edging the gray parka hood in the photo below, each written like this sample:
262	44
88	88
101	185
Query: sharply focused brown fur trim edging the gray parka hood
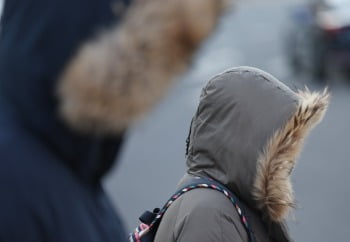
272	188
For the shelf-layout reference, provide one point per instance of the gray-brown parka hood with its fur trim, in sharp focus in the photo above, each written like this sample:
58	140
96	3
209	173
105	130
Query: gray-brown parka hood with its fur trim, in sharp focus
247	133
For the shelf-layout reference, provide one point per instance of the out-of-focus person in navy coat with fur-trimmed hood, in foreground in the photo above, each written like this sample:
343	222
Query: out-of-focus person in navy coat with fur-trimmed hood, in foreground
72	80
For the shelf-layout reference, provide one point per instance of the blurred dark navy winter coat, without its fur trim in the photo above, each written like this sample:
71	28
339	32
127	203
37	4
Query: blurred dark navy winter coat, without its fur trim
50	176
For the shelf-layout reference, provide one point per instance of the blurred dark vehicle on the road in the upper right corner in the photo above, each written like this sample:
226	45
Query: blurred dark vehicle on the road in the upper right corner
320	37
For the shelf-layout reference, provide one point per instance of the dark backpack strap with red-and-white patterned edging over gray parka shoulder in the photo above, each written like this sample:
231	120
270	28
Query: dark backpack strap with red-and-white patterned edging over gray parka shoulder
151	220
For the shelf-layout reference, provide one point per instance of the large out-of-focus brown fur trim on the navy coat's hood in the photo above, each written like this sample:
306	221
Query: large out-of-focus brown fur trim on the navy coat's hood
119	76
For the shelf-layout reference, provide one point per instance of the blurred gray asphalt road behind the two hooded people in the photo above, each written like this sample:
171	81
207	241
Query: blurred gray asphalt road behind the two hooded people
152	160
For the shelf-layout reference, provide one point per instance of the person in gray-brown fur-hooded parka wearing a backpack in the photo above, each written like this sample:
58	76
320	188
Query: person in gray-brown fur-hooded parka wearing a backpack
247	133
